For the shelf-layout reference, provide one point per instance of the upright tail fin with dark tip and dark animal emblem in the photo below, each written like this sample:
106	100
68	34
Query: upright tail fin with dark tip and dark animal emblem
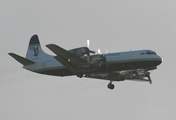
35	51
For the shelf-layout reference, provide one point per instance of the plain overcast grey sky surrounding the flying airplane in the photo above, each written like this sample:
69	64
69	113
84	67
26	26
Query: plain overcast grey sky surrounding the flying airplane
114	25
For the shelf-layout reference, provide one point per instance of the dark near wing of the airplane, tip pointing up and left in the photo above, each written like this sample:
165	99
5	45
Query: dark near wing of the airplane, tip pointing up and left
69	60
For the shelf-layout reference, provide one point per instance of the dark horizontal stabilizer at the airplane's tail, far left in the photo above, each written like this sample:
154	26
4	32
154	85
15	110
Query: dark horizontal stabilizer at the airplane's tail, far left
20	59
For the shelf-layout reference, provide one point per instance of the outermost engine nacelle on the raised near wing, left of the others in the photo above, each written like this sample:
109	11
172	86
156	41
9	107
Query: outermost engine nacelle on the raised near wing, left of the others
80	51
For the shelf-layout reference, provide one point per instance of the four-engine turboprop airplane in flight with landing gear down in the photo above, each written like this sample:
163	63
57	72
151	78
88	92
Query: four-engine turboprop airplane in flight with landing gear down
83	62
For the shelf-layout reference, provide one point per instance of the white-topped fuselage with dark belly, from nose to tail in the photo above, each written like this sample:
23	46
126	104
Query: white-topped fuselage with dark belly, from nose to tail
116	61
